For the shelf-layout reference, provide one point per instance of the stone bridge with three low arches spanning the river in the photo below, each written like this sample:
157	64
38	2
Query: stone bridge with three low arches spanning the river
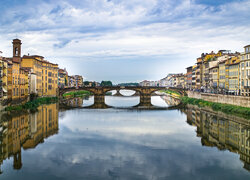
99	93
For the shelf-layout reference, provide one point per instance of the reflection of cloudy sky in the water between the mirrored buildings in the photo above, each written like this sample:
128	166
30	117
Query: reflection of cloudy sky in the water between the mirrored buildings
94	144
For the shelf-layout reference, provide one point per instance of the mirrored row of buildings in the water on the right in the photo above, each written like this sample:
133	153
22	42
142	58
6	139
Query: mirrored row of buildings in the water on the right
221	131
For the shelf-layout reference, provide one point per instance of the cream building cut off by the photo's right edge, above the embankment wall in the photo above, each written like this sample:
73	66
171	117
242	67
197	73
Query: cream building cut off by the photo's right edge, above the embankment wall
245	72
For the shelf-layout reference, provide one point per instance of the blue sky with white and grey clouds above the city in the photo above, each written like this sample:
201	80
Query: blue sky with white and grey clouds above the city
124	40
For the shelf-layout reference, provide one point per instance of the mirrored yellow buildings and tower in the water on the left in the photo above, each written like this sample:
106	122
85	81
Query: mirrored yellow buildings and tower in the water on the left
26	130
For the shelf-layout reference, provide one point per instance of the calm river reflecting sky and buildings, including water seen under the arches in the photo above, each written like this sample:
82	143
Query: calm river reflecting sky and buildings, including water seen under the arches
123	143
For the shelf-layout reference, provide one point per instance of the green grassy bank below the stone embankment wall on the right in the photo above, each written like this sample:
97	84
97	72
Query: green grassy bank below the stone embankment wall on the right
226	108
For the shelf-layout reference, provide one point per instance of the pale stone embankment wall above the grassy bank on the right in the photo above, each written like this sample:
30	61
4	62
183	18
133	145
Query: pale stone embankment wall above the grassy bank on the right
219	98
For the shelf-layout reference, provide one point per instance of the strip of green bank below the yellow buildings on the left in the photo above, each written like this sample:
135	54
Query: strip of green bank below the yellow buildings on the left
32	105
